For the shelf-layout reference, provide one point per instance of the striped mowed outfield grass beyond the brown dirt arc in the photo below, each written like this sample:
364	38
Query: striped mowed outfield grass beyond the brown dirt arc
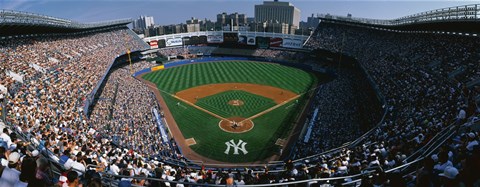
180	78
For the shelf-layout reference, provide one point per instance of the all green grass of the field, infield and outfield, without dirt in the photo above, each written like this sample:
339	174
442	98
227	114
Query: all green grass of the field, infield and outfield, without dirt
204	128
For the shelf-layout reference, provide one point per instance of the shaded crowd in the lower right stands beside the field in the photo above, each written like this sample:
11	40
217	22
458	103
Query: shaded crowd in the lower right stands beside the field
345	104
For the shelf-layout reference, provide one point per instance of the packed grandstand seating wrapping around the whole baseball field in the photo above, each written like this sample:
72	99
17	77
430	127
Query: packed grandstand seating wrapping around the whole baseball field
401	106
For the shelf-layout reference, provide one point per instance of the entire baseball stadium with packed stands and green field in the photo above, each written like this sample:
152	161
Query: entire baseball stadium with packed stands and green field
349	102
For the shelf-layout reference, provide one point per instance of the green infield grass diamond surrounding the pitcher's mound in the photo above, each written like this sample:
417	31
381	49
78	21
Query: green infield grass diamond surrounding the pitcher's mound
218	104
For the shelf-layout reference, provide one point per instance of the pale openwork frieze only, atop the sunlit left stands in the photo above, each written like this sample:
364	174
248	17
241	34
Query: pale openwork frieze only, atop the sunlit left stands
18	17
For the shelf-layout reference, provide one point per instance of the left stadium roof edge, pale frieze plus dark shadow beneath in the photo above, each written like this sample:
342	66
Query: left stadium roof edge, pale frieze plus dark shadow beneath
14	23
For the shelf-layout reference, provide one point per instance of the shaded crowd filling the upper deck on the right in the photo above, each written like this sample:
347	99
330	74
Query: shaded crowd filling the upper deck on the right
412	72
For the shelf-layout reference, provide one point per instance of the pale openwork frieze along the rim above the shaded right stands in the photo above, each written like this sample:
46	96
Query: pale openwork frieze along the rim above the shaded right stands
458	13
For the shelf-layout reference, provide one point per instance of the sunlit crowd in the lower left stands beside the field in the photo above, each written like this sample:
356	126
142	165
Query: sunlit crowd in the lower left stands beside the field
125	106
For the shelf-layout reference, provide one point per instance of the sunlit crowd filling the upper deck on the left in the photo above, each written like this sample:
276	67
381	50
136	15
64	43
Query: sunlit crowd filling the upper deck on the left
48	106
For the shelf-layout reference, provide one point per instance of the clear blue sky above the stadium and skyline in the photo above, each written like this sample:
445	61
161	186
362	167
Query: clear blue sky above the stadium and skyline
178	11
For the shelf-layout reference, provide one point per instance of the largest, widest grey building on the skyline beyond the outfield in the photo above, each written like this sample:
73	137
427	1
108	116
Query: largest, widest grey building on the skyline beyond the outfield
277	12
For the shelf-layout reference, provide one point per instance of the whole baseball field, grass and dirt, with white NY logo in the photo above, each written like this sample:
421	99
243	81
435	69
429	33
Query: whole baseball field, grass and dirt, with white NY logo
233	111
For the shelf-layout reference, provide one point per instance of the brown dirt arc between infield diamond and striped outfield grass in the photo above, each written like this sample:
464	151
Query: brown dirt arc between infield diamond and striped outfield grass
278	95
